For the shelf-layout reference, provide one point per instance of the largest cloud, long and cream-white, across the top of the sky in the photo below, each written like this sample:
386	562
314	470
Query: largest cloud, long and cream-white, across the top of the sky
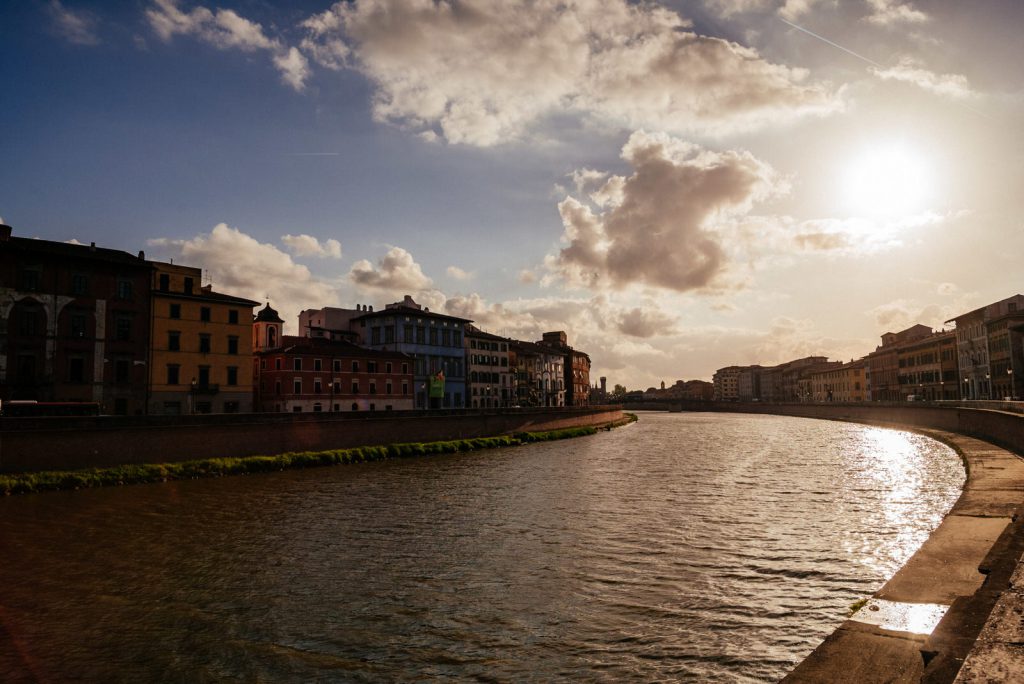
484	74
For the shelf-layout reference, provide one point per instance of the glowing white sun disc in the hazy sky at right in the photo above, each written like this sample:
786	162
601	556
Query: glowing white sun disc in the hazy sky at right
886	181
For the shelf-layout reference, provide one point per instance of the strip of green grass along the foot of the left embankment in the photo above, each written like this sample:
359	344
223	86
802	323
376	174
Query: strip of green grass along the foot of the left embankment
162	473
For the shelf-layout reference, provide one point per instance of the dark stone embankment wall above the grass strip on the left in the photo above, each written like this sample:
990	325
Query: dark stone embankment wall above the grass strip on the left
67	444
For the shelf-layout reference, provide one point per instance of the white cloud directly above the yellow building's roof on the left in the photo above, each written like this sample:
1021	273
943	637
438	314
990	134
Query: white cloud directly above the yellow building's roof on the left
241	266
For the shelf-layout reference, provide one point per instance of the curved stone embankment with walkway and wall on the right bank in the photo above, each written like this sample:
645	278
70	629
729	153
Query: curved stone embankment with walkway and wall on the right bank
966	577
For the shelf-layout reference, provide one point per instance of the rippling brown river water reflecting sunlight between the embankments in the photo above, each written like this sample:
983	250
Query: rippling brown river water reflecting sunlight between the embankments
696	547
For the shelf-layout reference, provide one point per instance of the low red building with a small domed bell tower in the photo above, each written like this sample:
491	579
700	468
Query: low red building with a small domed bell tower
321	375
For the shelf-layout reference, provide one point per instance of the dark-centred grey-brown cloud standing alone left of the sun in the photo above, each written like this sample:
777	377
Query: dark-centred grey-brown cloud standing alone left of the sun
657	228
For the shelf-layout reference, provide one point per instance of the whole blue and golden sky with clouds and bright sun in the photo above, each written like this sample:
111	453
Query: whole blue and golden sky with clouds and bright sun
678	186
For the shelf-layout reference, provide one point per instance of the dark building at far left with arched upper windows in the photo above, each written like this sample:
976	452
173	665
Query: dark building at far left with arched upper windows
75	324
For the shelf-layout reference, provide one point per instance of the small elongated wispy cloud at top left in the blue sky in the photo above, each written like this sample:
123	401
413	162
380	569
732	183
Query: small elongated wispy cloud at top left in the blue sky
226	30
